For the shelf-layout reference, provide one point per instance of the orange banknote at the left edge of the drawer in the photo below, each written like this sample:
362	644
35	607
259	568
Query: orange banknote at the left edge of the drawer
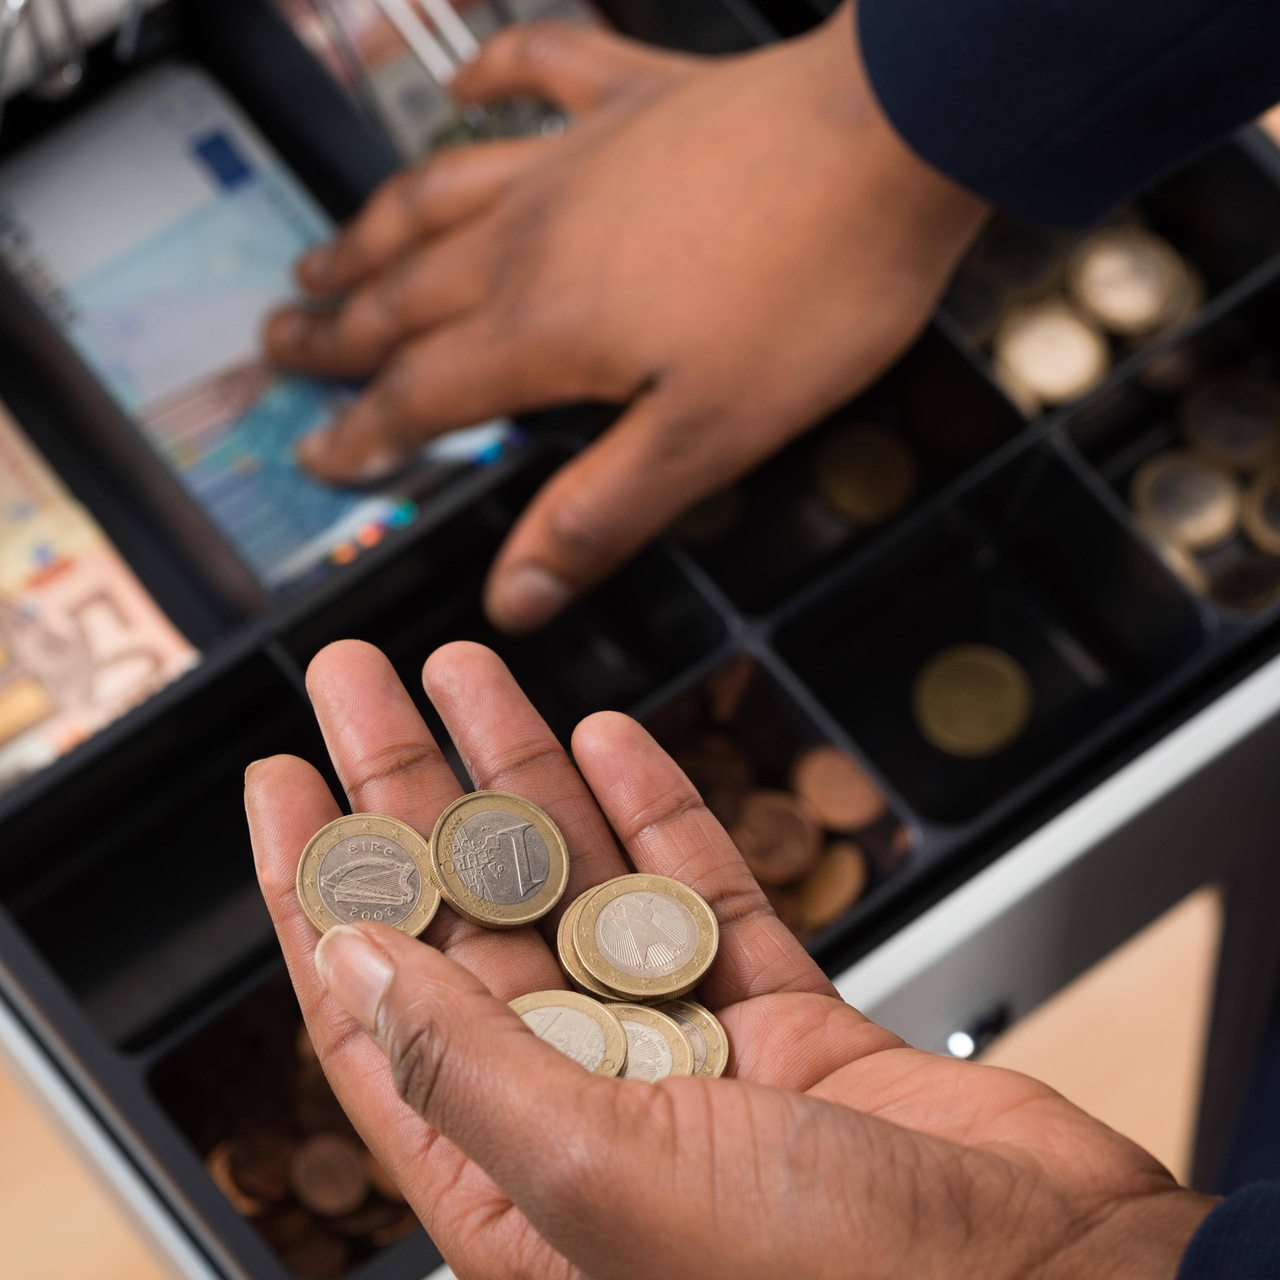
81	641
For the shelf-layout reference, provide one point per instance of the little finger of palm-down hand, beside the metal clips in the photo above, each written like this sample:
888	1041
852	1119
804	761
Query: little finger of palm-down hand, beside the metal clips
575	68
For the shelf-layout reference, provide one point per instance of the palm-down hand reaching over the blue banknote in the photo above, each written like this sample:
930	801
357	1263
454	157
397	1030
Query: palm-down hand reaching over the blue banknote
726	248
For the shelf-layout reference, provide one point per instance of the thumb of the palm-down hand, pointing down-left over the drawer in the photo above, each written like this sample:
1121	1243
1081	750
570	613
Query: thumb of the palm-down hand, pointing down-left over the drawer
601	509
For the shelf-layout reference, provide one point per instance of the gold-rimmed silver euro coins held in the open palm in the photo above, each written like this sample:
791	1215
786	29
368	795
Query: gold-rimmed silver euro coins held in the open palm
633	947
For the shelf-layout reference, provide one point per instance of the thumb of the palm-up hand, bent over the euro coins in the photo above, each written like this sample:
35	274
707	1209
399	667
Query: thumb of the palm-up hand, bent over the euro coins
470	1067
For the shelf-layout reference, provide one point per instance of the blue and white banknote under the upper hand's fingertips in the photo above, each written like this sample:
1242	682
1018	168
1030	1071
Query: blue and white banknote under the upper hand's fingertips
158	231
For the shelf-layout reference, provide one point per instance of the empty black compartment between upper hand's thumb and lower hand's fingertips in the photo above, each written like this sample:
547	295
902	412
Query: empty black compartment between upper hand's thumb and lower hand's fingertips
609	651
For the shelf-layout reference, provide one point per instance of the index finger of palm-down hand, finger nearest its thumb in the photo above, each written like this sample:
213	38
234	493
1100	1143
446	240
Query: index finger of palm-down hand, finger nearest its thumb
454	377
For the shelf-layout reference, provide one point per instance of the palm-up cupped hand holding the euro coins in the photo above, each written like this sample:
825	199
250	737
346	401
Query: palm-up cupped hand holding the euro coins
835	1150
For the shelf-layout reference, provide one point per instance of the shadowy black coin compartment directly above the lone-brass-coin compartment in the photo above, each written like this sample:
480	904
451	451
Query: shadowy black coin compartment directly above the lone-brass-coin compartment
771	533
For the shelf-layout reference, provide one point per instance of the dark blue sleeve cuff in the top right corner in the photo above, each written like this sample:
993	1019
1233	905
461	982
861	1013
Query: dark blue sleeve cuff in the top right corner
1058	111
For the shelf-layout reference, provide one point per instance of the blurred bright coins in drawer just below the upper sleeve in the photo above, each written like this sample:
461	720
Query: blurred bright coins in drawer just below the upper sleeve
1054	314
